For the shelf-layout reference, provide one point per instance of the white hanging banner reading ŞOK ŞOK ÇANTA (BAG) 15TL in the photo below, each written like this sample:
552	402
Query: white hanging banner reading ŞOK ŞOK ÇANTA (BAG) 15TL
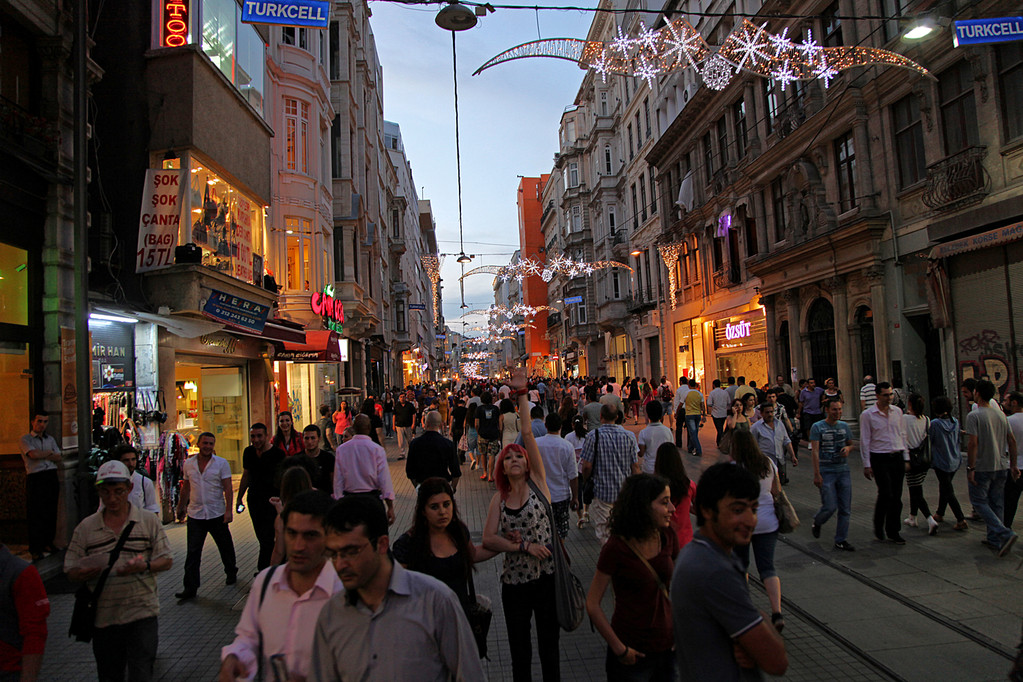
163	205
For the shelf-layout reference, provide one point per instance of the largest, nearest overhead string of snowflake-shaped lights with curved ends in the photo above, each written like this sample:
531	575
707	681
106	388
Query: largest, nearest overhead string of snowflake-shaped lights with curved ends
678	46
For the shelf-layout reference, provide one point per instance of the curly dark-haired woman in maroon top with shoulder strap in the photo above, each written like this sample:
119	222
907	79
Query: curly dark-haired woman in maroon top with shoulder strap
640	635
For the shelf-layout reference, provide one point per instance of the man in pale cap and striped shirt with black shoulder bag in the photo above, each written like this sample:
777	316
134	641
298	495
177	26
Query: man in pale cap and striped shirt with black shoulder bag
127	607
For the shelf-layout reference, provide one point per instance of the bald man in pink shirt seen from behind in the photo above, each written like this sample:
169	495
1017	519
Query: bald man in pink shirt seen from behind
361	468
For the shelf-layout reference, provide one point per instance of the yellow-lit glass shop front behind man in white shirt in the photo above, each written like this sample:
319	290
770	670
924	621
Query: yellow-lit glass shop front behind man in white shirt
214	399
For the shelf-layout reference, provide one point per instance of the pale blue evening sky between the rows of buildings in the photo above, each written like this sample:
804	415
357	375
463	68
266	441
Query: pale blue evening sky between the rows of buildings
509	124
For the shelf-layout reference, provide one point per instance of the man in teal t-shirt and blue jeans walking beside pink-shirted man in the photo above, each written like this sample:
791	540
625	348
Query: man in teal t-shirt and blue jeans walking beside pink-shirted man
831	443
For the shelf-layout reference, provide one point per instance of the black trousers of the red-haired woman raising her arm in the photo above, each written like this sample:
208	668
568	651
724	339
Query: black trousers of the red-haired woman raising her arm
521	604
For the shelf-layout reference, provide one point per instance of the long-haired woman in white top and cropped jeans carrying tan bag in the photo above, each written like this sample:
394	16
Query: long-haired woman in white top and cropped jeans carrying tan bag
748	456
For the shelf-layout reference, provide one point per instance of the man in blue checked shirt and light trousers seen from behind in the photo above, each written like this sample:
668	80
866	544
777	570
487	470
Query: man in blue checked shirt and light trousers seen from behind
610	454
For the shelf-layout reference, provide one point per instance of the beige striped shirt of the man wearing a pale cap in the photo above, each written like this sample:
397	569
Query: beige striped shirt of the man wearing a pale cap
125	599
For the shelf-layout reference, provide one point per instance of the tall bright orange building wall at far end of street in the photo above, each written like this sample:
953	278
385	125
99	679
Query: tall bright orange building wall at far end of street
535	290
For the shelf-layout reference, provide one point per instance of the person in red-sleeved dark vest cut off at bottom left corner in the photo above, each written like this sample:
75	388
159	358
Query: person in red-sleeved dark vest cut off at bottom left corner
23	619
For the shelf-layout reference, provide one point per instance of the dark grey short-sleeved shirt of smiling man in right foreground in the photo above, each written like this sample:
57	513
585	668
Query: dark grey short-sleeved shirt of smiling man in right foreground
711	608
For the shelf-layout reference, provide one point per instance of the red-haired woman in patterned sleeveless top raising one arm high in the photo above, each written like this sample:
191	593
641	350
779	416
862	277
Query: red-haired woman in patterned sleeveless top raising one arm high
519	526
